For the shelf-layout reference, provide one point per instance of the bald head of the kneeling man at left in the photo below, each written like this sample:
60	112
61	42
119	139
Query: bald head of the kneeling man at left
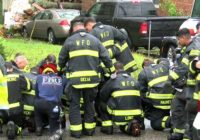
21	61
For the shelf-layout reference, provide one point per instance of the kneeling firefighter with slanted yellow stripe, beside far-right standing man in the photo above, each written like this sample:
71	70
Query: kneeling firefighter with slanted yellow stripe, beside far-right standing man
156	96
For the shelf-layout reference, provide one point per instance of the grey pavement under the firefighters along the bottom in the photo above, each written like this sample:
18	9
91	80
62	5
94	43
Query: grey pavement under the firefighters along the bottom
148	134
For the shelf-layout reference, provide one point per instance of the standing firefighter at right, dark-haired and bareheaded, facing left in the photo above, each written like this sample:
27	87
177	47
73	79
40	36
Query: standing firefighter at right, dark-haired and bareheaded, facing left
183	105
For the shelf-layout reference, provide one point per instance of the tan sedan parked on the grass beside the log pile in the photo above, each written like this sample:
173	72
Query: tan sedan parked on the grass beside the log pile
50	24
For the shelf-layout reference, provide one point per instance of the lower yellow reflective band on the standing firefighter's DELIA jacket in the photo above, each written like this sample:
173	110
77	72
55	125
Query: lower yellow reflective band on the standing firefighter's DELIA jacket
76	74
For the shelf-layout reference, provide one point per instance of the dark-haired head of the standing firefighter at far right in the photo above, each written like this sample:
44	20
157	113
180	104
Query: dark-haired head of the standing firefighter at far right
183	37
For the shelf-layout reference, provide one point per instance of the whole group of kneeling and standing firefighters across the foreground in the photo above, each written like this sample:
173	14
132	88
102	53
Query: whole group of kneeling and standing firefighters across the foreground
96	82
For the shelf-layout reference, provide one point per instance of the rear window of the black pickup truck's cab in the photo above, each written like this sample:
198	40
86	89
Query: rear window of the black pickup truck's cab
129	10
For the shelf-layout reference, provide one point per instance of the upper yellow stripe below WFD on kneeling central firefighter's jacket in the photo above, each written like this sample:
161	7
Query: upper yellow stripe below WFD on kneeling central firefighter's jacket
126	93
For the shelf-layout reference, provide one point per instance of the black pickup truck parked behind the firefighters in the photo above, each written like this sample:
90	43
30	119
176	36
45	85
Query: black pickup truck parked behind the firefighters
136	17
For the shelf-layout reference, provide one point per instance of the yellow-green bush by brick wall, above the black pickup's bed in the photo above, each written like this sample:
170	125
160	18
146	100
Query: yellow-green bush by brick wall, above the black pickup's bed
170	7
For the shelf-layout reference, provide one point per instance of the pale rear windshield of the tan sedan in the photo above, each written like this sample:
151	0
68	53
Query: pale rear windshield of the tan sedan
68	14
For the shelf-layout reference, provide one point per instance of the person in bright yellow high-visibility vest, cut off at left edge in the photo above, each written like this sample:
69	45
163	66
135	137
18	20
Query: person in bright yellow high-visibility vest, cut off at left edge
4	105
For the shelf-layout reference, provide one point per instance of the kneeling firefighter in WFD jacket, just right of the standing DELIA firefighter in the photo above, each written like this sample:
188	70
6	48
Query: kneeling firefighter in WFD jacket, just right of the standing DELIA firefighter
121	103
